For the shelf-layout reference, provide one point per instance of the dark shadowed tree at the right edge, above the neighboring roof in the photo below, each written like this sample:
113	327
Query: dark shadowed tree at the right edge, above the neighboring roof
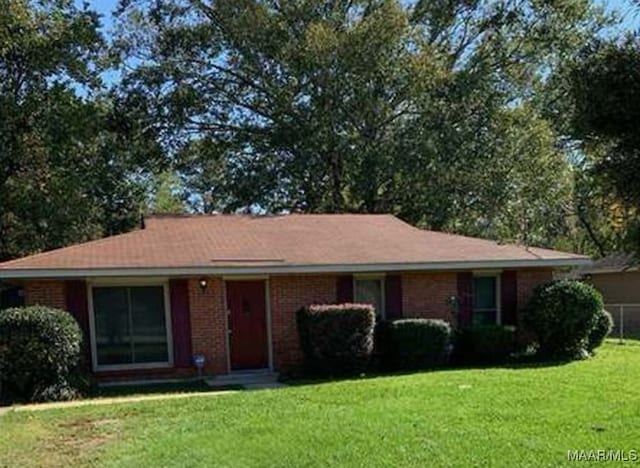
604	113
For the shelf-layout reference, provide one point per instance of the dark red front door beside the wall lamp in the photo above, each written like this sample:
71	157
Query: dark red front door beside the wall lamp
247	324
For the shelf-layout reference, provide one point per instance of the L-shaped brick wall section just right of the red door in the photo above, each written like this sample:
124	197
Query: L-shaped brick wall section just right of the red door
287	295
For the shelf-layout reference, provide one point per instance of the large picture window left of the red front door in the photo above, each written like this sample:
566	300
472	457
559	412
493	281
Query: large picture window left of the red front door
130	326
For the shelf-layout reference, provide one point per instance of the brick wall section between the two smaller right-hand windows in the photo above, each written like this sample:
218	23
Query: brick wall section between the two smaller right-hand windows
425	295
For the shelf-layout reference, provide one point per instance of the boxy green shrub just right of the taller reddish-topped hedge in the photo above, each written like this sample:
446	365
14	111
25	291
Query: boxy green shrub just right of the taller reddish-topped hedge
407	344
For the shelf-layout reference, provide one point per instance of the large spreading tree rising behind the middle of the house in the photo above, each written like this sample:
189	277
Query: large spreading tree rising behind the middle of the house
416	108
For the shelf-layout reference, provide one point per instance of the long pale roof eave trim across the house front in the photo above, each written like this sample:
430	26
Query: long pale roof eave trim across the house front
50	273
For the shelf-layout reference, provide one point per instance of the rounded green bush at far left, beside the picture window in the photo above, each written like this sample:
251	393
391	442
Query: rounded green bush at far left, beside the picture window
40	349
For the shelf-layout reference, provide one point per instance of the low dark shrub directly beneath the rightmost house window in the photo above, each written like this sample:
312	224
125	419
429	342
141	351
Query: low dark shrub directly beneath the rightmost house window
486	344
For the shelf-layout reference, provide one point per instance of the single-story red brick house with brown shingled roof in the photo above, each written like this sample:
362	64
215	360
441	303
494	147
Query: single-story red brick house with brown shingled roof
228	286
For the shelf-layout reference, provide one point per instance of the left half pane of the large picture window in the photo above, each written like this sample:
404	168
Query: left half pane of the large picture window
113	340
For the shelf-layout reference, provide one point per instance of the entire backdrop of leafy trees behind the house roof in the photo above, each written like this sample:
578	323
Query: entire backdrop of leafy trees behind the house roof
473	117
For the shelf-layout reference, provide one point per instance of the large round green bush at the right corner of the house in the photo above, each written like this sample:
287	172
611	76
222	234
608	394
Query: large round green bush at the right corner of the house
562	314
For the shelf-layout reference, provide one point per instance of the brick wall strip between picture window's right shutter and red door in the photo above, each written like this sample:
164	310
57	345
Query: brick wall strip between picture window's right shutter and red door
209	324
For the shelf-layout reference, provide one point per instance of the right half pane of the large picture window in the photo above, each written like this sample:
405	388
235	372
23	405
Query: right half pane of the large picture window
149	325
